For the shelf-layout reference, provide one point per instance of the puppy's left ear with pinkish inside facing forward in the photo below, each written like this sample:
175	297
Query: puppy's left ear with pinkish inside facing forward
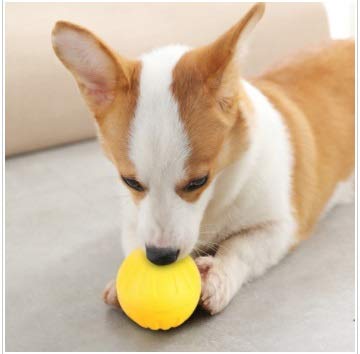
100	73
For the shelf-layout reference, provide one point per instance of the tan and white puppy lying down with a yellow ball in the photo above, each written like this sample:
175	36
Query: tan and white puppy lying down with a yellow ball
234	172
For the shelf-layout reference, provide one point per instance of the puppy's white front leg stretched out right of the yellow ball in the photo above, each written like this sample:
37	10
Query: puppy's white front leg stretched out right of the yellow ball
241	258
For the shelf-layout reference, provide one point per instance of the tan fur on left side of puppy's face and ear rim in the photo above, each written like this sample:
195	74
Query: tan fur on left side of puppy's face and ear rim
114	104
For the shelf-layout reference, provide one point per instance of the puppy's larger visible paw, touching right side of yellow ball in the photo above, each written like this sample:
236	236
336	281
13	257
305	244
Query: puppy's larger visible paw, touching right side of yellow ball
215	287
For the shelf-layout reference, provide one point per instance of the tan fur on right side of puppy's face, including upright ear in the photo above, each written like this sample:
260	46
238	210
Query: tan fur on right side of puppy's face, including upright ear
206	87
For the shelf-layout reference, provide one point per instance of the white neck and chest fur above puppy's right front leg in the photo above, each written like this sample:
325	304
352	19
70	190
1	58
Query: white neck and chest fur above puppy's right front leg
257	188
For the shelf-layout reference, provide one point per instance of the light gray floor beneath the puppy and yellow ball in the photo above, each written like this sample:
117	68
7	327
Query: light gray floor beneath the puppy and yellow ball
62	246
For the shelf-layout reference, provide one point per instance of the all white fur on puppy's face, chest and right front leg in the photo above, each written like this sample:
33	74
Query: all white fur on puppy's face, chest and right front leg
253	193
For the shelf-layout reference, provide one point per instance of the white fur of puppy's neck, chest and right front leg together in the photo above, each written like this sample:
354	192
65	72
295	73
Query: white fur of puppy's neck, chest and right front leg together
250	215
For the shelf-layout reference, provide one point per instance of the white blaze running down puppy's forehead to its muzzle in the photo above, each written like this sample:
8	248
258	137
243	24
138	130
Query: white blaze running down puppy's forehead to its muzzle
159	149
